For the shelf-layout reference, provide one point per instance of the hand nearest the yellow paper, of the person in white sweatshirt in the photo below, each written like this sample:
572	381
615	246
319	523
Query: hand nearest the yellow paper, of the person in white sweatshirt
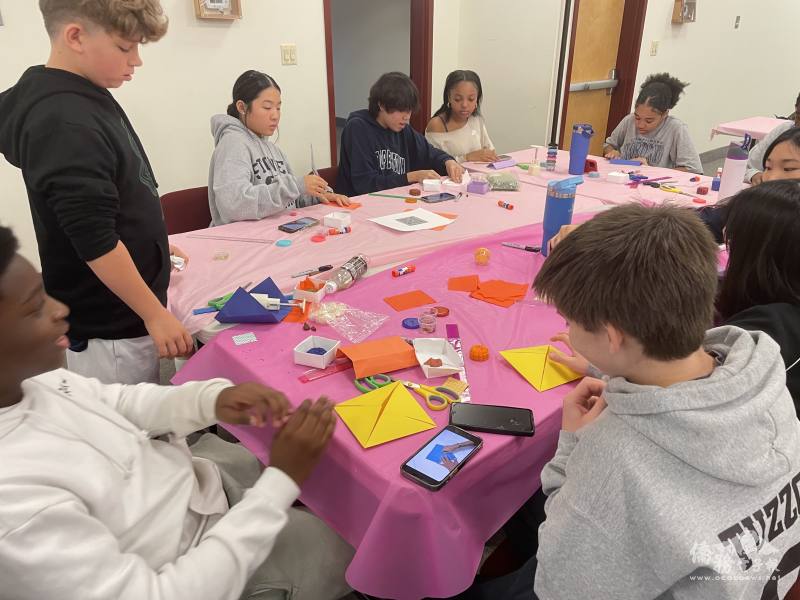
298	446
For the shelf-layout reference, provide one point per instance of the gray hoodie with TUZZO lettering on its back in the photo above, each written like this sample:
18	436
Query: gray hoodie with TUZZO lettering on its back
687	492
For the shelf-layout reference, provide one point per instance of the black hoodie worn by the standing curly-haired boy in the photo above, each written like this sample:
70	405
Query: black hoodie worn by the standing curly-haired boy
90	186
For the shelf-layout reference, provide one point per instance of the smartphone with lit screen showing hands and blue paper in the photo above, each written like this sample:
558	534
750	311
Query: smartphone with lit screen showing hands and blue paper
437	461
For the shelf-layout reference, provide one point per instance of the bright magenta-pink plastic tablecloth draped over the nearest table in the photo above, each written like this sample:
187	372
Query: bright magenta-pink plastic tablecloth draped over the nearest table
412	543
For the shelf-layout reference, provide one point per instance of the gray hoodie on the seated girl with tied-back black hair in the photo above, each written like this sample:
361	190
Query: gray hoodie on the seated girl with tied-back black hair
249	177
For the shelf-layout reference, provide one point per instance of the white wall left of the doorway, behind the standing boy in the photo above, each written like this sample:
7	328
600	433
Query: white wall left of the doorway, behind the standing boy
186	78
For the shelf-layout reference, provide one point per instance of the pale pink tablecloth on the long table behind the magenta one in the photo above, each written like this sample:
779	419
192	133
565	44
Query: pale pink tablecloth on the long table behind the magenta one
206	278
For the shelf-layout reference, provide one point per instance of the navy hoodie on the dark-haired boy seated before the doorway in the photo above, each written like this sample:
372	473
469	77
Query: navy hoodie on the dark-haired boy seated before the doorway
376	158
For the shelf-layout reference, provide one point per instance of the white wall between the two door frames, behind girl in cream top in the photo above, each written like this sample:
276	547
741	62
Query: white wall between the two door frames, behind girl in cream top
512	45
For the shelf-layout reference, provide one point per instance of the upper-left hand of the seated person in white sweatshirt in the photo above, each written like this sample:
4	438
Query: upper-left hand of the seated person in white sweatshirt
252	404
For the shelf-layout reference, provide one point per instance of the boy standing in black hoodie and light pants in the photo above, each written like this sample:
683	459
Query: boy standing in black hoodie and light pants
101	234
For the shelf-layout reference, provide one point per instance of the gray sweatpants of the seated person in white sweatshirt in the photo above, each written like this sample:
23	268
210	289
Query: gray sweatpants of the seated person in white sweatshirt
309	558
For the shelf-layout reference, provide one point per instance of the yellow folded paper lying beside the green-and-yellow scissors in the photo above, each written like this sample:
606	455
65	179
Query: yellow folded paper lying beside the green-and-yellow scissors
383	415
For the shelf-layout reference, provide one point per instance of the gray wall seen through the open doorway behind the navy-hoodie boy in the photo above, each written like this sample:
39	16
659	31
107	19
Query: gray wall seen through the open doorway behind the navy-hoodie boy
370	37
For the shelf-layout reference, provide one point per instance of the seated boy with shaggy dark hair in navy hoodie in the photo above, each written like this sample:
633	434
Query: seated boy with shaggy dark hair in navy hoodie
379	148
